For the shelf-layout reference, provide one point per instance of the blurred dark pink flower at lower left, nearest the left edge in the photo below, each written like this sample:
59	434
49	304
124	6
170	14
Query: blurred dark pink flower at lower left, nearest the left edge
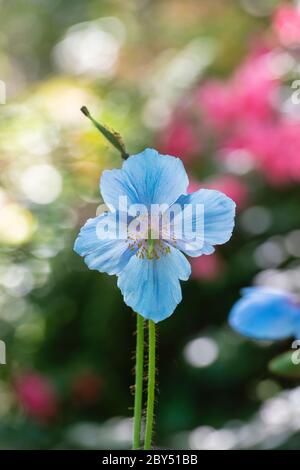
37	396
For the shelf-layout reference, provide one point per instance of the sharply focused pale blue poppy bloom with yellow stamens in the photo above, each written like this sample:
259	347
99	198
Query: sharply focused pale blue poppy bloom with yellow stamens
149	268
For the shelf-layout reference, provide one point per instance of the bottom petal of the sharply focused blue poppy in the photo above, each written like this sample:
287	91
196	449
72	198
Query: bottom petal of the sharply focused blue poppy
152	287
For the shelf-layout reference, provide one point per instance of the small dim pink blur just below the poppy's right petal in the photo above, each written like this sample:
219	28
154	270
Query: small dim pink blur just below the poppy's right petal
206	267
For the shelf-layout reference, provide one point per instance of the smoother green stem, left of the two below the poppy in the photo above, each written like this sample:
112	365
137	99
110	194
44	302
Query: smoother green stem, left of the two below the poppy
139	371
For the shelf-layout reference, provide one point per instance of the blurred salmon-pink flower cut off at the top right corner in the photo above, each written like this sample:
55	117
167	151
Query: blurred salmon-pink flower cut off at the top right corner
286	24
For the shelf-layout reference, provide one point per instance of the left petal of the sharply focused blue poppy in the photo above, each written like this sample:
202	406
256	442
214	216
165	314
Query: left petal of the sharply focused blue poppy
104	255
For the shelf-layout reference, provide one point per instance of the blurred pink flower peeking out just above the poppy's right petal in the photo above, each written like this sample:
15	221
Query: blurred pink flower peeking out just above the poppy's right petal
230	185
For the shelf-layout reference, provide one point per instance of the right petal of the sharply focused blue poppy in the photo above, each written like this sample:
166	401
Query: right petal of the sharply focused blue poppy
219	213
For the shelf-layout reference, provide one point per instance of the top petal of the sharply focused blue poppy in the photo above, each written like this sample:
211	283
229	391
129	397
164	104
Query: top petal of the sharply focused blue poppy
145	178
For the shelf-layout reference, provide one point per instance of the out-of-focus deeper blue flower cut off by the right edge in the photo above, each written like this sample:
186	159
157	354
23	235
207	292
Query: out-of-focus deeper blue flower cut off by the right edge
266	314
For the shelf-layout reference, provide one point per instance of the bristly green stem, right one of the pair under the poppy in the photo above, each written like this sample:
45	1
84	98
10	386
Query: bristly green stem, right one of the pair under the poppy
151	387
